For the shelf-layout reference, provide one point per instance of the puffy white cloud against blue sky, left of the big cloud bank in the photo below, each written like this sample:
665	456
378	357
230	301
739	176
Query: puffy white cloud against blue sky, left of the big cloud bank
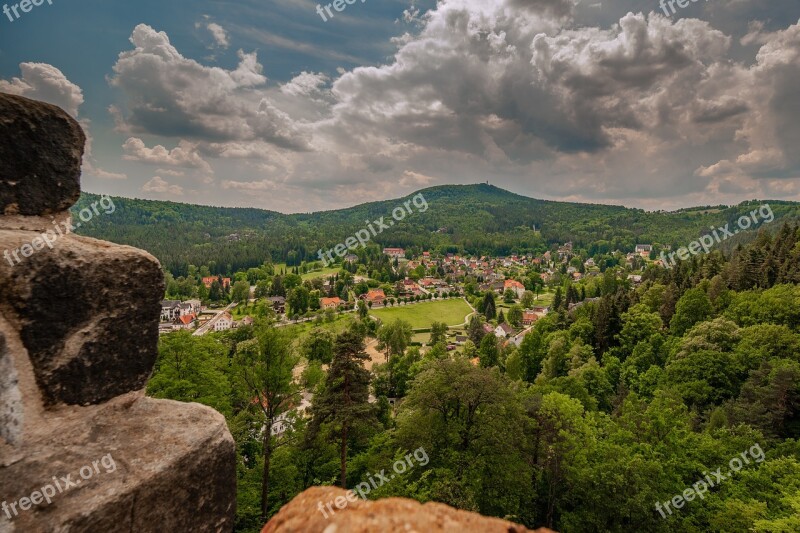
169	93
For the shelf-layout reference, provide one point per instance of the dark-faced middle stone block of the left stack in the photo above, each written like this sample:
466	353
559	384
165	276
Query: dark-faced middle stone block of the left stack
87	312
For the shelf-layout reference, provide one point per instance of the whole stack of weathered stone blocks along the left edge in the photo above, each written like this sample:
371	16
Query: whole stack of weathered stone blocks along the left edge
81	447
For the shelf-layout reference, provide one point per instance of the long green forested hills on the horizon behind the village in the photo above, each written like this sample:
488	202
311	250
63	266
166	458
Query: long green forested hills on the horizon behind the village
478	219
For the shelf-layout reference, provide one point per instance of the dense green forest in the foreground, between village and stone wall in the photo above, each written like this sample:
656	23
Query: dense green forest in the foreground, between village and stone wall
604	412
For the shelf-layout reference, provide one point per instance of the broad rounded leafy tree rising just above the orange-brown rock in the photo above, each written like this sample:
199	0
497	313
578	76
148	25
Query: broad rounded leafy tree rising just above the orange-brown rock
473	421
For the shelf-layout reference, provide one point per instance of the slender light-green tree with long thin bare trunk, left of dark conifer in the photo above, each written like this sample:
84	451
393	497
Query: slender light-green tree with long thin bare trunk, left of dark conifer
264	367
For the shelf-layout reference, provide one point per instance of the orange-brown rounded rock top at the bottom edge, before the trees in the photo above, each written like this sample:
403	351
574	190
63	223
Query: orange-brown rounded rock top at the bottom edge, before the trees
302	514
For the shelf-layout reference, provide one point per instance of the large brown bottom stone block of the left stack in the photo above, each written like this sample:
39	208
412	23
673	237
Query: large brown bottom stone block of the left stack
152	466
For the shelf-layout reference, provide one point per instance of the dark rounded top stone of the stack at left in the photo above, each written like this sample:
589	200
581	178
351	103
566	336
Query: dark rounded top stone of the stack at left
41	148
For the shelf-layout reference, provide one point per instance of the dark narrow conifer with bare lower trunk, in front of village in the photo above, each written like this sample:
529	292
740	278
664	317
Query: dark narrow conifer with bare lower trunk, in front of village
344	402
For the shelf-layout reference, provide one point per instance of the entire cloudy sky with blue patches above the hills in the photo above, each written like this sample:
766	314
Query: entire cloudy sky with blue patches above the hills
265	104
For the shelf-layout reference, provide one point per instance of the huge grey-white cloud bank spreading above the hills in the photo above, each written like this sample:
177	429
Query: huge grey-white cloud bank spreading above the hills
647	111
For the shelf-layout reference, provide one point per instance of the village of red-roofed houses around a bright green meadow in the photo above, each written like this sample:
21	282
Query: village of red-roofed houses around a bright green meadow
429	287
